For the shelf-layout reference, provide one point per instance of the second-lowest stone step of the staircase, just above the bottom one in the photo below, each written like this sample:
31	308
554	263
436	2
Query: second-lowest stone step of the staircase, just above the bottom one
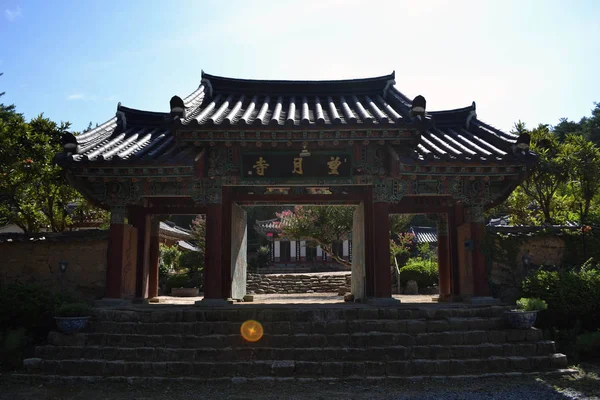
230	354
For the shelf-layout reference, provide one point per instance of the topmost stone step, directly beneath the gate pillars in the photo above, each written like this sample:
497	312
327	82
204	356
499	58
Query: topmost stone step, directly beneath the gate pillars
242	313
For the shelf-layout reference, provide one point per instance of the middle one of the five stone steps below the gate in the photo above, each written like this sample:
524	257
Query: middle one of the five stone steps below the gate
359	339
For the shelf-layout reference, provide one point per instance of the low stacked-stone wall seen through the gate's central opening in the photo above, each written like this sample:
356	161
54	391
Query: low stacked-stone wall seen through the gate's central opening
270	284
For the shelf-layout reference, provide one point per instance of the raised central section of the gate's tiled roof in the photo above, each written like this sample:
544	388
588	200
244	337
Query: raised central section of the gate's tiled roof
295	103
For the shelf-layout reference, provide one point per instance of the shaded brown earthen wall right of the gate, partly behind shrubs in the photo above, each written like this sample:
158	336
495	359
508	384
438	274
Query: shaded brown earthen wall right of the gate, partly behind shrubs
506	261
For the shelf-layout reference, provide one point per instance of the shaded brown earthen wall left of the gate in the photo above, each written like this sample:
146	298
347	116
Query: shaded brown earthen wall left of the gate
35	259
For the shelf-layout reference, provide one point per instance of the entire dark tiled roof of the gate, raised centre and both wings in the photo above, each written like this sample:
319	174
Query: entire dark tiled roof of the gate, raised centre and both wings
142	137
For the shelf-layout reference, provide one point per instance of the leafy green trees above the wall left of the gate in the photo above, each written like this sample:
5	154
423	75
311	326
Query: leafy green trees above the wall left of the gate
34	191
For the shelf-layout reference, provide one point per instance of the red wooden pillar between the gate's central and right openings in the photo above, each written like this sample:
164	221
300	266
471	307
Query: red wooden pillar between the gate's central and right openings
381	247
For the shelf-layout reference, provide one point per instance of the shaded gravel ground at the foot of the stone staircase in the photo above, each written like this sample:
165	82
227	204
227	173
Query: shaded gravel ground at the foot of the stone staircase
584	385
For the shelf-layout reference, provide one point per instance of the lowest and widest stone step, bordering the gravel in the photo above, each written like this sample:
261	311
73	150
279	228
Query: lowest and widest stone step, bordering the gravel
291	368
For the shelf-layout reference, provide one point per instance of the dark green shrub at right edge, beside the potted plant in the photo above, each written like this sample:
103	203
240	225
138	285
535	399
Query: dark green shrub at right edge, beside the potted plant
573	297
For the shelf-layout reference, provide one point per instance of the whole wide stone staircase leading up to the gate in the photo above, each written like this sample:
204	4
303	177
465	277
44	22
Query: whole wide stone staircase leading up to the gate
311	343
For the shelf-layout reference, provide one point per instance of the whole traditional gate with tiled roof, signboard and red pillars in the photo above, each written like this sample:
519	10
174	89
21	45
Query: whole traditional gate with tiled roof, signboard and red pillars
235	142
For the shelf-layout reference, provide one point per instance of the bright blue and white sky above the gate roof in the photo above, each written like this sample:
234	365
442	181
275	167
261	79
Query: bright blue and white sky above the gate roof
536	61
